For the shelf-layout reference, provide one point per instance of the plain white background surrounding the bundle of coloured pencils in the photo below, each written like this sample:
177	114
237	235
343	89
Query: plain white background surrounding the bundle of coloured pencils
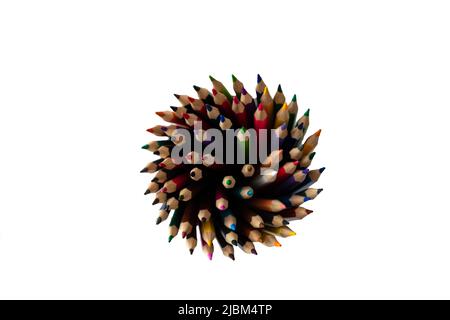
80	80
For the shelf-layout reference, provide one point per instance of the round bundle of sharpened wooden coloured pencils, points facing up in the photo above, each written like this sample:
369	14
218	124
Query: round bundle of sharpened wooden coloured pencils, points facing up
238	204
